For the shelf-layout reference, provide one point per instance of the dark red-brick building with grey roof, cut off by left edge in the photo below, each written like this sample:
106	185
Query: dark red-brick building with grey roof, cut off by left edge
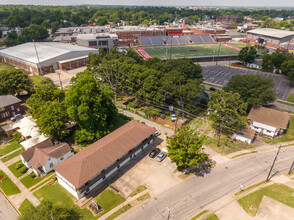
9	107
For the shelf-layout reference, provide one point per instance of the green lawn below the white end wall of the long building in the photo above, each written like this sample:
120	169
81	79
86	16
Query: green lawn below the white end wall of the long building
58	195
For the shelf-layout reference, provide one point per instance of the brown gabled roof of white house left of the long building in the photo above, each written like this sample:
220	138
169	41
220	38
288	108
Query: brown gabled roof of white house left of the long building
39	154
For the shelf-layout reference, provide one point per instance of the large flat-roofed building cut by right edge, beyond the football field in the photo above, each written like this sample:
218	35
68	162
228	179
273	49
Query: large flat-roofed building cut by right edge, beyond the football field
269	37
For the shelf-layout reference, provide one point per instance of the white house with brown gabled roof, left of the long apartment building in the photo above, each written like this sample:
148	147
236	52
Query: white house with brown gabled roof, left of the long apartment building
45	155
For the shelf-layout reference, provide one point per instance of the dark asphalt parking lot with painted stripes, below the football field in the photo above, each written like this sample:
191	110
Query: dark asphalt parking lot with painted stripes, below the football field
220	75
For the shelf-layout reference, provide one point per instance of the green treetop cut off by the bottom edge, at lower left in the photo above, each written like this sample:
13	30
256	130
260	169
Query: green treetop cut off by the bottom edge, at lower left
47	210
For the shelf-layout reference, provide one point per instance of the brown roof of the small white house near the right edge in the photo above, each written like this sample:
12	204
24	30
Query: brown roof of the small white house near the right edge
268	116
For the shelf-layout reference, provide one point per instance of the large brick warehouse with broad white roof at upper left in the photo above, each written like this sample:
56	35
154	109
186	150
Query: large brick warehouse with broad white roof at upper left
46	56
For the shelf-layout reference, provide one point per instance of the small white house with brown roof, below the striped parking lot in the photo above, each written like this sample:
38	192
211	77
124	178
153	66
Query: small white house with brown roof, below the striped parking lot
268	121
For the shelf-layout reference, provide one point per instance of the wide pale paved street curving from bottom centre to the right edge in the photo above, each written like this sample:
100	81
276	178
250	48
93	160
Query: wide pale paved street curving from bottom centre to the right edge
186	199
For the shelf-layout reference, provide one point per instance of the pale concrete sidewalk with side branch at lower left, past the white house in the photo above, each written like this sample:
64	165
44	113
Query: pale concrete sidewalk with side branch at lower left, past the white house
25	193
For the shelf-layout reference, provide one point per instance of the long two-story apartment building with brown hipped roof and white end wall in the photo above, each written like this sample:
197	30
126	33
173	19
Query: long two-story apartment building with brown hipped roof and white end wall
89	168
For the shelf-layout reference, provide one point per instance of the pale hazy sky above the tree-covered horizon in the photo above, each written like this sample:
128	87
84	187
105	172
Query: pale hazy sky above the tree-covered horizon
232	3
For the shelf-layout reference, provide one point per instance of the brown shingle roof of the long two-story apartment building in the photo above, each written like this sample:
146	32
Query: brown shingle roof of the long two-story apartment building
86	164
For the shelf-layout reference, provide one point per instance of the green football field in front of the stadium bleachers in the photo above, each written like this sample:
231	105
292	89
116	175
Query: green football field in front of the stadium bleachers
196	50
